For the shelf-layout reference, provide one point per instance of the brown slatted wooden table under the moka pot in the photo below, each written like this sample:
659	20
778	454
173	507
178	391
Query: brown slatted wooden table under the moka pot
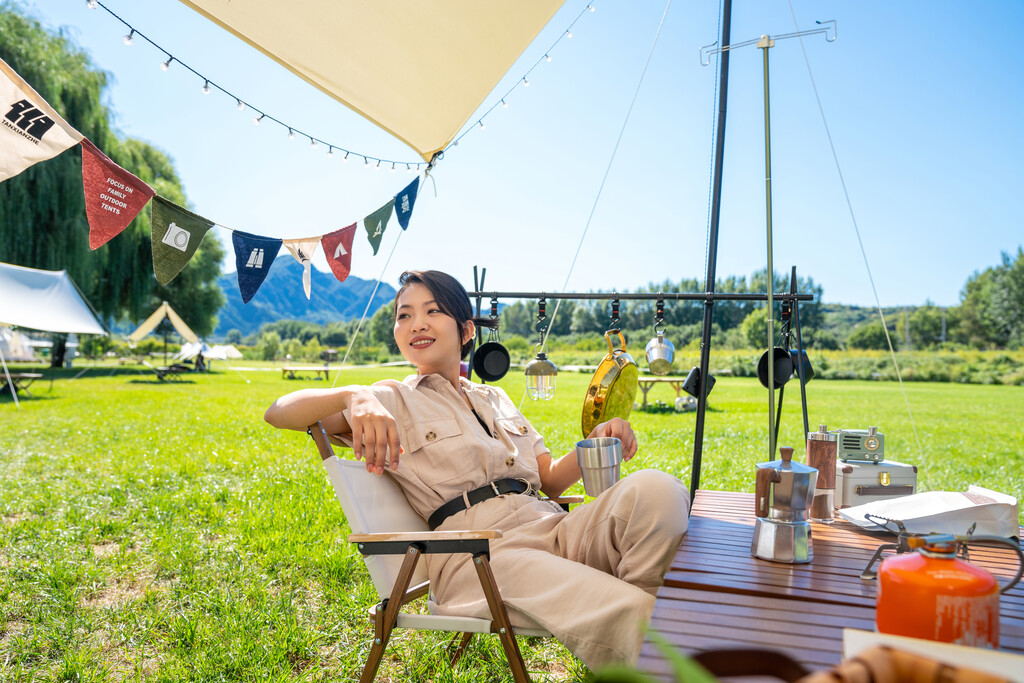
716	595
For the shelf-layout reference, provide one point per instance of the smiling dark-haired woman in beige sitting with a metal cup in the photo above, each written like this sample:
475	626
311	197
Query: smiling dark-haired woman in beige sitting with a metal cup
589	576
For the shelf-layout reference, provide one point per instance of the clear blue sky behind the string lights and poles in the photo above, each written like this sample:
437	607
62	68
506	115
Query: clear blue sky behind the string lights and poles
923	100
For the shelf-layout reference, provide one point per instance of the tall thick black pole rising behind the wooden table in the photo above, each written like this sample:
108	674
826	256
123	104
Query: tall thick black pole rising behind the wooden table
716	206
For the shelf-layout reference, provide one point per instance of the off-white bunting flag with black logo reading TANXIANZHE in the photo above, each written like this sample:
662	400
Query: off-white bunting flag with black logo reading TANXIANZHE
31	131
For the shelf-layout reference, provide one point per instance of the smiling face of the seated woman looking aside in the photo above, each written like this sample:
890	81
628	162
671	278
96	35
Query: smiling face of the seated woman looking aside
426	336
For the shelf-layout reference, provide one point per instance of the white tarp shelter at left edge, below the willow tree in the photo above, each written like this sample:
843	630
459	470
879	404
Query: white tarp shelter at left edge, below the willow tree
46	301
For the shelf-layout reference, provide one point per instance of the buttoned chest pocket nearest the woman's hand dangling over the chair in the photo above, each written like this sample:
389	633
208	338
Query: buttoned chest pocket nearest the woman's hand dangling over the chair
437	453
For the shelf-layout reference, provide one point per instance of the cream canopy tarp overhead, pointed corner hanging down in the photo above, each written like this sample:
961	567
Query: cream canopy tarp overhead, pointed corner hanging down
418	69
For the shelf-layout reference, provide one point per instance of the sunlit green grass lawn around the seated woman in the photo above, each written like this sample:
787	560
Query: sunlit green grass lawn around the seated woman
165	533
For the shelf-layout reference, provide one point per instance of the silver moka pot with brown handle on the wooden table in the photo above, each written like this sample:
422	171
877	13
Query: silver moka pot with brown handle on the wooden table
784	492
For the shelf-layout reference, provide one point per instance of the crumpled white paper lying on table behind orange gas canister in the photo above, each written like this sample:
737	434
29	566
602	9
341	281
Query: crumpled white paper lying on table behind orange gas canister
945	513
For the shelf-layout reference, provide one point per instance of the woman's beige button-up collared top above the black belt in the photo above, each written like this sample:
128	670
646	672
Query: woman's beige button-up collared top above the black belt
448	451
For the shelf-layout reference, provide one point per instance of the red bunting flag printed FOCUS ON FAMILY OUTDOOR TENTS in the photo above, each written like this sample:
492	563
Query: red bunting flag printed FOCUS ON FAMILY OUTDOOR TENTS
113	196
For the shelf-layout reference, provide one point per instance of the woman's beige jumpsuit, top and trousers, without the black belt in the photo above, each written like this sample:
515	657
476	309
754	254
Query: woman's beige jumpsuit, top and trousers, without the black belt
589	576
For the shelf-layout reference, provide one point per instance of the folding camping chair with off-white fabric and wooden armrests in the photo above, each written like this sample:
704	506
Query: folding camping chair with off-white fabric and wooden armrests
385	529
